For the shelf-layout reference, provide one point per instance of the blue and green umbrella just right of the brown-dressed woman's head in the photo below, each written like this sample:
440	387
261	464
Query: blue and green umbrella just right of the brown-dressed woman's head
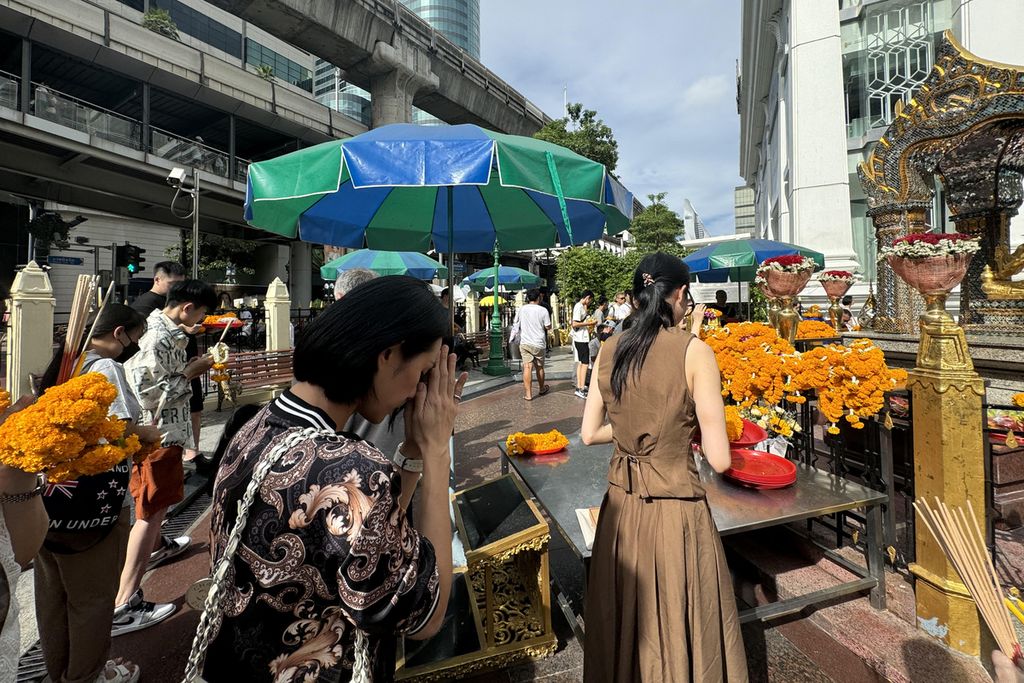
739	261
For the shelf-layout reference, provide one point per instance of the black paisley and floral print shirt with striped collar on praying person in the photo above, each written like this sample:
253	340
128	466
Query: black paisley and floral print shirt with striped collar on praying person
326	548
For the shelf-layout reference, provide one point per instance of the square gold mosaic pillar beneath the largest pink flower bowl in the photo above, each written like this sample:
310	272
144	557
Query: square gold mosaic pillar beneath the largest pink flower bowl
949	464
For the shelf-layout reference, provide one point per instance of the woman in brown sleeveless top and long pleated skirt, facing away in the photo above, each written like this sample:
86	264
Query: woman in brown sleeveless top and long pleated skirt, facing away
660	603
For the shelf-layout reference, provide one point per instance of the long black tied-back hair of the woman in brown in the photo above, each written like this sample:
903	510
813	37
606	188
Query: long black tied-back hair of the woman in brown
657	277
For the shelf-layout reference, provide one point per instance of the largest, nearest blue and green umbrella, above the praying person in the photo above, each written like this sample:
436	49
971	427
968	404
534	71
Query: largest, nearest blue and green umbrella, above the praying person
457	189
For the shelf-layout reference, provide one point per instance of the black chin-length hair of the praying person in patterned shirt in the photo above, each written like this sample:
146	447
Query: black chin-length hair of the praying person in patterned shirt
338	351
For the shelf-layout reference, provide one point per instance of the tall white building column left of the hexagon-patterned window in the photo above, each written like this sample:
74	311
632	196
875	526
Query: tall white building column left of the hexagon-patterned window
820	182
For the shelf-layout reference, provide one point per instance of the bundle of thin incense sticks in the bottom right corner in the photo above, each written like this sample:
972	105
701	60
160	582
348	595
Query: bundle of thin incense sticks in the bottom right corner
964	544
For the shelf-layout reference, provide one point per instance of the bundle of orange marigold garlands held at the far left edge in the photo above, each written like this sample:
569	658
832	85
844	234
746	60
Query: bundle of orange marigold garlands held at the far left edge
67	433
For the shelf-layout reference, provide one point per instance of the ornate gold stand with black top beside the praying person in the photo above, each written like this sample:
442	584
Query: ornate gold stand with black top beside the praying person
500	611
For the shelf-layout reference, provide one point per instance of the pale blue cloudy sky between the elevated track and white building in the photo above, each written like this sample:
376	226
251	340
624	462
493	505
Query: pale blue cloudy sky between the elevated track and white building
662	74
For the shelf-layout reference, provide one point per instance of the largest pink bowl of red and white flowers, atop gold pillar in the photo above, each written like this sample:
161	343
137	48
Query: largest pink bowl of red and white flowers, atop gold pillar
933	264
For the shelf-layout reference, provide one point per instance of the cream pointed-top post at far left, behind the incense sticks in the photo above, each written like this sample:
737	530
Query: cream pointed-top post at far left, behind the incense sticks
30	343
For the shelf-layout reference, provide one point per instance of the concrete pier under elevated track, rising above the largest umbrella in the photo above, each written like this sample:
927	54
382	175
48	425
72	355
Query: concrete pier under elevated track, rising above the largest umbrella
401	71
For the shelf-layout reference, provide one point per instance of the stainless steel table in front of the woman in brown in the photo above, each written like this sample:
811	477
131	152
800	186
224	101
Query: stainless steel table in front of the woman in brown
578	479
